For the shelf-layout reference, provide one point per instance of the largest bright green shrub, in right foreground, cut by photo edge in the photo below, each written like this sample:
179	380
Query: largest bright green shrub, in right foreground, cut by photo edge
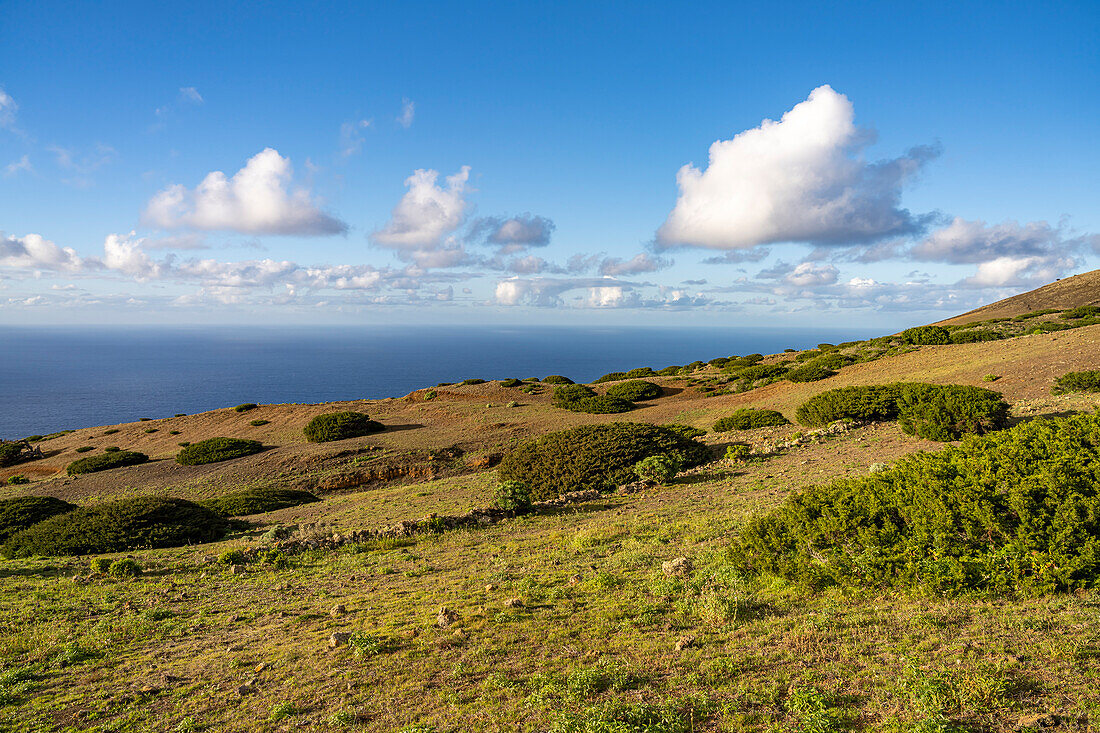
1017	512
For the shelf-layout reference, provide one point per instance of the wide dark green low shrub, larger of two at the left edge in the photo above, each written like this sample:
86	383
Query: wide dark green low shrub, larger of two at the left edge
119	526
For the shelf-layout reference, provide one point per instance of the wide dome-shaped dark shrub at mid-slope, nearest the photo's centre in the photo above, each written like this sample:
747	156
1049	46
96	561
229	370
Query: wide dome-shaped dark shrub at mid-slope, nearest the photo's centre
593	457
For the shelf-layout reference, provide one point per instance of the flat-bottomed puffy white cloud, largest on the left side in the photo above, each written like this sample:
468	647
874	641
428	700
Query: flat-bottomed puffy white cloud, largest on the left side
256	201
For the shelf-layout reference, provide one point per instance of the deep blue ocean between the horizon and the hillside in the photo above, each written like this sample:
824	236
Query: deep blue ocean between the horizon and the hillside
54	379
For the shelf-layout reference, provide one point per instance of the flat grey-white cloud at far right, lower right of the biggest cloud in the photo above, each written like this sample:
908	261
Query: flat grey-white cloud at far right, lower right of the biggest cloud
963	243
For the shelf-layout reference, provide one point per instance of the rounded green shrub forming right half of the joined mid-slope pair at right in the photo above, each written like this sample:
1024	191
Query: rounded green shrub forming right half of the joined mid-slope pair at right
950	412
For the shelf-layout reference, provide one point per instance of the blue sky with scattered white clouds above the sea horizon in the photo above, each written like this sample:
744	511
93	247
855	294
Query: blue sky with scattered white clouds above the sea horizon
560	163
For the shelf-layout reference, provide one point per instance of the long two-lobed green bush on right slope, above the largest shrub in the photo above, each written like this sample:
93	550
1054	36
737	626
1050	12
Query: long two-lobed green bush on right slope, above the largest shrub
928	411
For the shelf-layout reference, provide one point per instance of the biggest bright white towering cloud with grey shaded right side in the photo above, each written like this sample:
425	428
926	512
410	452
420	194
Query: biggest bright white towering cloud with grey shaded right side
800	180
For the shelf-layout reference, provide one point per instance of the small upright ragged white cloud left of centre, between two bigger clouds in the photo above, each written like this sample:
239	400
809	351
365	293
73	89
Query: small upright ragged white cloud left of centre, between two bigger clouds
426	214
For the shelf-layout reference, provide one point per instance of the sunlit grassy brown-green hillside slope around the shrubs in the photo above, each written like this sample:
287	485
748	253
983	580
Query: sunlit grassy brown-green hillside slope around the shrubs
600	621
